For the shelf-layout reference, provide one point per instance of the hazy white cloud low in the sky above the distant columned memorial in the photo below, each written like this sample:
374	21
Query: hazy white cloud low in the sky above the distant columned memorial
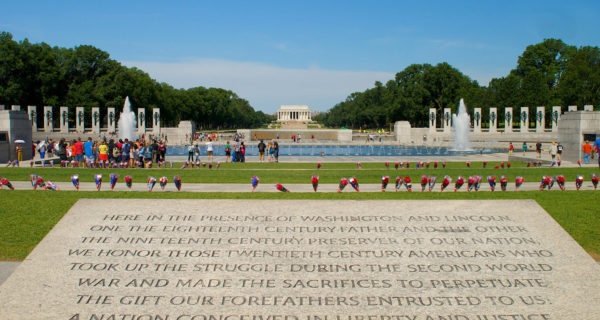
266	87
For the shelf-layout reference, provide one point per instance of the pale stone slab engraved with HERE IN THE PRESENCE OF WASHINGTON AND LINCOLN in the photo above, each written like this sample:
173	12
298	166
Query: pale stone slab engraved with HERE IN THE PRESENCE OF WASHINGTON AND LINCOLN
304	260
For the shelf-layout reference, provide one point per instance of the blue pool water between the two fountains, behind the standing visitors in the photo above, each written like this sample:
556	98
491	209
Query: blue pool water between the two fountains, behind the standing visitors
340	150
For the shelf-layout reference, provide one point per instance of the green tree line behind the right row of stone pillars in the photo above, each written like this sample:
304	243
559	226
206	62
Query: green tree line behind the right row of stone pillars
550	73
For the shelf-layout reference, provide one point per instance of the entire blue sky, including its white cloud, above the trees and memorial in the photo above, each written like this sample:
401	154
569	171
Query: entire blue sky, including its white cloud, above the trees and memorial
302	52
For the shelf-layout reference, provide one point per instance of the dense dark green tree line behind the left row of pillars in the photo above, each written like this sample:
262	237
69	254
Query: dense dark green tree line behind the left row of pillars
41	75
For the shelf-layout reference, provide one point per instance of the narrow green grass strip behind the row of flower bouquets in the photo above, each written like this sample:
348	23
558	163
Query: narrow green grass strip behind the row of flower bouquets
300	172
